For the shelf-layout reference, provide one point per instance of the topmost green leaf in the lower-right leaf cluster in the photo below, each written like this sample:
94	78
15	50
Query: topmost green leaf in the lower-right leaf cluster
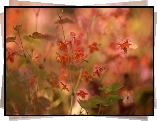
113	87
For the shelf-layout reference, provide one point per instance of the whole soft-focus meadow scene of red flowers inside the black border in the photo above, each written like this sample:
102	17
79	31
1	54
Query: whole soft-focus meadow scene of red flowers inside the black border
79	61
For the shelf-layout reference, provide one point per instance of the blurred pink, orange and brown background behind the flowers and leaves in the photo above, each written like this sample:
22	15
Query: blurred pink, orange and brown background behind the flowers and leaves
106	26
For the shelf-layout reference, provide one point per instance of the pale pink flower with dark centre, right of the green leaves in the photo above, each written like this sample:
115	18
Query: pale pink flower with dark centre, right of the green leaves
128	97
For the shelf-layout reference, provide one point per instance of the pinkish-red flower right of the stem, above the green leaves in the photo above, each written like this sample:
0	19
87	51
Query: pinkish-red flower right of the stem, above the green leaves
98	70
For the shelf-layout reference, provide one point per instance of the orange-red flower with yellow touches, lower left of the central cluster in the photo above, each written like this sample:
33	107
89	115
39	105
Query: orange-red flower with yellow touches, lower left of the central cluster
65	59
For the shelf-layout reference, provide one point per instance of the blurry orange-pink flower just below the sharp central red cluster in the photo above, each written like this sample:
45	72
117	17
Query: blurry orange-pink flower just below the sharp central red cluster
64	75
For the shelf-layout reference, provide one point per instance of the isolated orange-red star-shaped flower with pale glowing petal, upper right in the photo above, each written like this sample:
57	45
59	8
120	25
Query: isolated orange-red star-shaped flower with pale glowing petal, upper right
126	44
